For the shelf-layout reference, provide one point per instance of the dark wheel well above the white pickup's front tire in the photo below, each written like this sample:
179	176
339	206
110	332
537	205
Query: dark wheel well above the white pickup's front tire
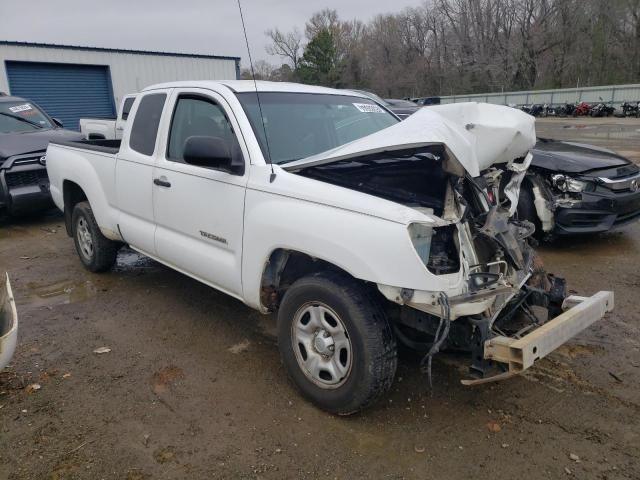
283	268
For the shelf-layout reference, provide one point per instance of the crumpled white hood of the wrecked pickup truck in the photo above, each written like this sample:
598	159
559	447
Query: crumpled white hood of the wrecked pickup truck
477	135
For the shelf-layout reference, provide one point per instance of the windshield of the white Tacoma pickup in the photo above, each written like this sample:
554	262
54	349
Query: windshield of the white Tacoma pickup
299	125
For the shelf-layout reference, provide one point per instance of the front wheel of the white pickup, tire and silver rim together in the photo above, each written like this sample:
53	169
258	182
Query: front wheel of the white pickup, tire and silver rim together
336	342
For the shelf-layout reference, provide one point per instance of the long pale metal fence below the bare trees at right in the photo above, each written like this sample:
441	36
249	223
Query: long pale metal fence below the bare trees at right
609	93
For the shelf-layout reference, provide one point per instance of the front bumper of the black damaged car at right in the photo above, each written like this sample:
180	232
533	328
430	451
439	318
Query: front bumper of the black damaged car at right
597	212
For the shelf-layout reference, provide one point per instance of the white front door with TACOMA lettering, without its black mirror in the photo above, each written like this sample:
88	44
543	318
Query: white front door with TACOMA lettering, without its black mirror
199	210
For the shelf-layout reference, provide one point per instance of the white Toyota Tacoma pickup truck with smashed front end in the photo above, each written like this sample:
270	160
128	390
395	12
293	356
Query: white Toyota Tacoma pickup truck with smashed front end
358	230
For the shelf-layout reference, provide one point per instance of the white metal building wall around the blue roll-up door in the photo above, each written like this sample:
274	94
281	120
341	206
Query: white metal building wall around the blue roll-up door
130	72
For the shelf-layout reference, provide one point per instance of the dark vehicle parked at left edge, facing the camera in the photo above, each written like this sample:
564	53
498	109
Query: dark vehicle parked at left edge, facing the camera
25	131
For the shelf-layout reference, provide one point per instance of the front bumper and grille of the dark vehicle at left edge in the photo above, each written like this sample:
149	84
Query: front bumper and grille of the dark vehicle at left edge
24	185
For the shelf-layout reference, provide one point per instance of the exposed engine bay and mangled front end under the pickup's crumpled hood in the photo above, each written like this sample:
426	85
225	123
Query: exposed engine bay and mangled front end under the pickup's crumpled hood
508	293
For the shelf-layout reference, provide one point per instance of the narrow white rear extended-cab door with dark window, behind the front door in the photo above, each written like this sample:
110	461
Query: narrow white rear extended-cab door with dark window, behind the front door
134	172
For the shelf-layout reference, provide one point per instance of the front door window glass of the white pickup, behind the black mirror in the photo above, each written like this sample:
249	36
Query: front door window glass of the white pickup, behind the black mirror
196	116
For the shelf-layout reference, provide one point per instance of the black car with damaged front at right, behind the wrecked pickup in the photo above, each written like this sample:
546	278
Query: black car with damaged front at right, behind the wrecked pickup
573	188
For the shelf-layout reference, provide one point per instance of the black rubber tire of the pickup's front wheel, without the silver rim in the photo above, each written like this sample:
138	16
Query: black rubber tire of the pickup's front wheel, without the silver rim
373	352
